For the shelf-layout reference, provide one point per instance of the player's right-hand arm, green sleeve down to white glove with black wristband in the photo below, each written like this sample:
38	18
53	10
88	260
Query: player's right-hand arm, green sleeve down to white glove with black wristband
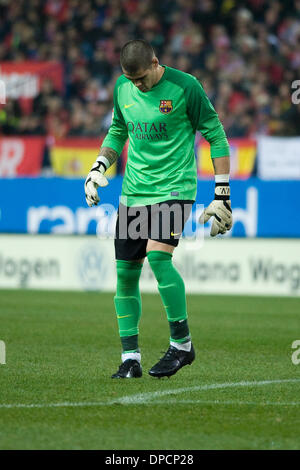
205	119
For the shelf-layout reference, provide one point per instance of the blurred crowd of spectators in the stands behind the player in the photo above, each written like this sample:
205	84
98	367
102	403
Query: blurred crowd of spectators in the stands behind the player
245	53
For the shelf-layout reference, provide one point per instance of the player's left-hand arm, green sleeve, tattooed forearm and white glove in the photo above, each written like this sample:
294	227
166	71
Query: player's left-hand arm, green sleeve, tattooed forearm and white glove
110	151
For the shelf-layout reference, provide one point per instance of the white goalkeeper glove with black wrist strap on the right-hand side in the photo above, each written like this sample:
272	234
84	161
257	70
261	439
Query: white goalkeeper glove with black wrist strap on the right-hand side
220	209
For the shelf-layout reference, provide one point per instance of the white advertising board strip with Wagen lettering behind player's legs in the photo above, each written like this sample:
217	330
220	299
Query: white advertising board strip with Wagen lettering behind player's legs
221	265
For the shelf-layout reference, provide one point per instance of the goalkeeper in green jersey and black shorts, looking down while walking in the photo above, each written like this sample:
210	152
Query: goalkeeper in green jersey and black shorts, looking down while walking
159	109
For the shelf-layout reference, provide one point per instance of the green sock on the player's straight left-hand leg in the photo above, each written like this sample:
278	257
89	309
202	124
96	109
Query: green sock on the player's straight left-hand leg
128	303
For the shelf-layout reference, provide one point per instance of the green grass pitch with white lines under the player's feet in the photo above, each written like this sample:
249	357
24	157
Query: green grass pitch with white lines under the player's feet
62	347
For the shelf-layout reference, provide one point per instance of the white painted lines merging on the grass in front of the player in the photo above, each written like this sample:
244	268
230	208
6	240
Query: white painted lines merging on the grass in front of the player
150	397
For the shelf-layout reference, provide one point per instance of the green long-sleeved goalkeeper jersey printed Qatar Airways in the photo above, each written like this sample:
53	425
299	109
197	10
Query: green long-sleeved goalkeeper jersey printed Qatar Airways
161	125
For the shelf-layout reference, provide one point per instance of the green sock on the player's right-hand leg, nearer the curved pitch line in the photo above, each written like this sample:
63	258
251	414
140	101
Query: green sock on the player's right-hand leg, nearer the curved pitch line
172	291
